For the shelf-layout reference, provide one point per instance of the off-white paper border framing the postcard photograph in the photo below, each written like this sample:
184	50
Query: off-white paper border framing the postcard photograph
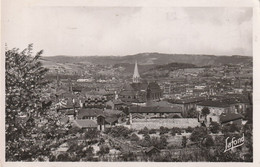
147	3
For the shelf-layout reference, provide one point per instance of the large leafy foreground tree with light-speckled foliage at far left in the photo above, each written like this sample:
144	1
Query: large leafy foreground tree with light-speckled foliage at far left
31	138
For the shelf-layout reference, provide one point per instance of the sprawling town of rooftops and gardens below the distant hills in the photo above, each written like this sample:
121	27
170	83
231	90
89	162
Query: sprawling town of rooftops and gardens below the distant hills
175	112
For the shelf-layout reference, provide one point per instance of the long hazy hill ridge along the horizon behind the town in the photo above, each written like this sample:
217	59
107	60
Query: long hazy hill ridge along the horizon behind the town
150	59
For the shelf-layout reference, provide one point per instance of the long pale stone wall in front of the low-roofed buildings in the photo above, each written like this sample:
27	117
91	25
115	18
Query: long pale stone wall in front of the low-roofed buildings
169	123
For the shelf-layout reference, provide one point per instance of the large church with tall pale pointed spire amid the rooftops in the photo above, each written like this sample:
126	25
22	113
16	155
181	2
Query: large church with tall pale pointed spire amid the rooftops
140	91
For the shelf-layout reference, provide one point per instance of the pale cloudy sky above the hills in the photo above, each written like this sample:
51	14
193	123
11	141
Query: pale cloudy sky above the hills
82	31
